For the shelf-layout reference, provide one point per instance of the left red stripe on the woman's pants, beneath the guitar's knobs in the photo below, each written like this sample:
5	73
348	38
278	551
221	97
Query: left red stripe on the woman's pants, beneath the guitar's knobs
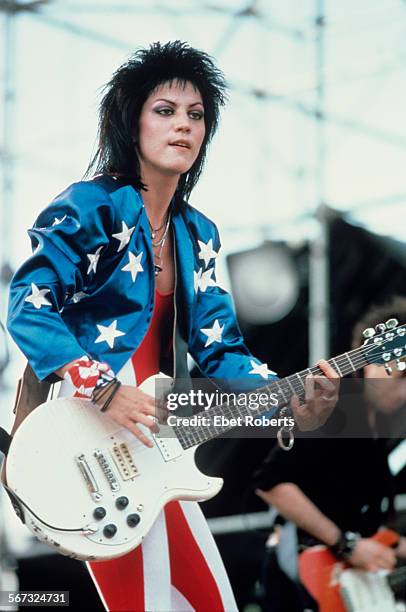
121	581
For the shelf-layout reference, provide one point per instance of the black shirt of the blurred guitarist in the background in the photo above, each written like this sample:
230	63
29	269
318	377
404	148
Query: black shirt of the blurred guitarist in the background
347	478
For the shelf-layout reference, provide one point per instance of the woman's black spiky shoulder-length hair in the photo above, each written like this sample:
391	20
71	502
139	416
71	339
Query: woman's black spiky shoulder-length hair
126	93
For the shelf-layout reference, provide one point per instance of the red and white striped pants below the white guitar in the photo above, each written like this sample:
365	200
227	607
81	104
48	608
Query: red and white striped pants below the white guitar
177	568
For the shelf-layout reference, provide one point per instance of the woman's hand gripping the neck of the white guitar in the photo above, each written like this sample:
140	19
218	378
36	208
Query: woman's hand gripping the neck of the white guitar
321	395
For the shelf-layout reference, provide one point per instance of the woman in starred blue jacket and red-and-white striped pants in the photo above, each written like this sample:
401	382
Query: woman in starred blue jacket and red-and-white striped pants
113	255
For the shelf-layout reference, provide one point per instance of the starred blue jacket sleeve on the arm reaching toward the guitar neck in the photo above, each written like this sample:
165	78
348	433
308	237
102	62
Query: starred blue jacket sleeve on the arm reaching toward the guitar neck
216	342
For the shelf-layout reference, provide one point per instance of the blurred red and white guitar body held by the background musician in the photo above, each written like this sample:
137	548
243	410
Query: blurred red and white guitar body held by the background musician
326	579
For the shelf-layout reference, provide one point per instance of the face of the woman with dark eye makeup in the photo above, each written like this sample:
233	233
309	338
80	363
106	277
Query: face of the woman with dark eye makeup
171	129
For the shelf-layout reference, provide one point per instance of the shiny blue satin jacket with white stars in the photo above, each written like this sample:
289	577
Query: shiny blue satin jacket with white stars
89	286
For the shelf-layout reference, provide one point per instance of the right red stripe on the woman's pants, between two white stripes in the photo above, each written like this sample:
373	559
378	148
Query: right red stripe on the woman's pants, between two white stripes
189	570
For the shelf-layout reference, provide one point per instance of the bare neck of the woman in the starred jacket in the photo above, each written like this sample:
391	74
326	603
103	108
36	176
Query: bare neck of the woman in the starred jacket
158	197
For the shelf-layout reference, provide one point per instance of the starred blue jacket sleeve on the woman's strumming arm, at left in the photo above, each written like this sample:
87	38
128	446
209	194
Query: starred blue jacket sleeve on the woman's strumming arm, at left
68	240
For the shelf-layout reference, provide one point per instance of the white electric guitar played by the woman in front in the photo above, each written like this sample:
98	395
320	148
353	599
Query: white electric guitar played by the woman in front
91	490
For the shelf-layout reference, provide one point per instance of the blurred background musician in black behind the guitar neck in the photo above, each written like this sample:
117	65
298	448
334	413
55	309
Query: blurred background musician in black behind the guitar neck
339	491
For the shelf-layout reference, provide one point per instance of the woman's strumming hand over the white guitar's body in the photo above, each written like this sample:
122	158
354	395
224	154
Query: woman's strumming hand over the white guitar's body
130	406
